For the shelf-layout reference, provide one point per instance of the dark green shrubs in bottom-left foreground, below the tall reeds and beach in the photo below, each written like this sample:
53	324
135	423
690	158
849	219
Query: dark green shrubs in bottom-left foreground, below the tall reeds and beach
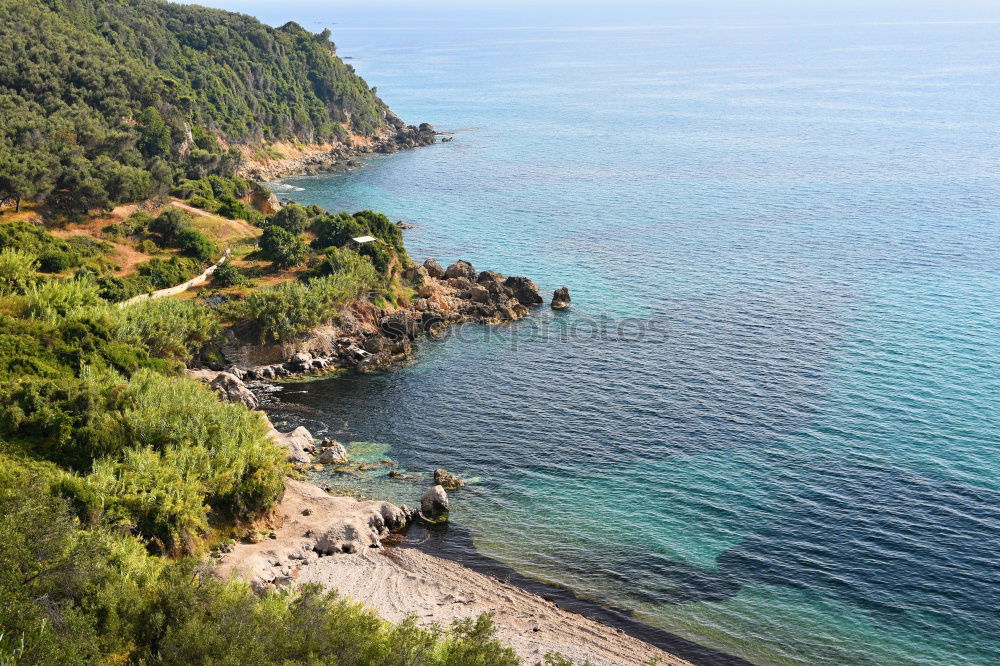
70	595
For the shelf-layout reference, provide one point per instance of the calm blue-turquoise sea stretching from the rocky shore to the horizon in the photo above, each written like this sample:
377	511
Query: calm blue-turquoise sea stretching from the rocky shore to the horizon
770	422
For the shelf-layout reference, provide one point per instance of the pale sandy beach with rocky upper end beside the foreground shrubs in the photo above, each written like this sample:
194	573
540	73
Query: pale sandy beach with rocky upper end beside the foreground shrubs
397	582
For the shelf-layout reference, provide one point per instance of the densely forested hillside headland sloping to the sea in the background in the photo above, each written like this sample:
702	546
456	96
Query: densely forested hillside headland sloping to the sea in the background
105	102
